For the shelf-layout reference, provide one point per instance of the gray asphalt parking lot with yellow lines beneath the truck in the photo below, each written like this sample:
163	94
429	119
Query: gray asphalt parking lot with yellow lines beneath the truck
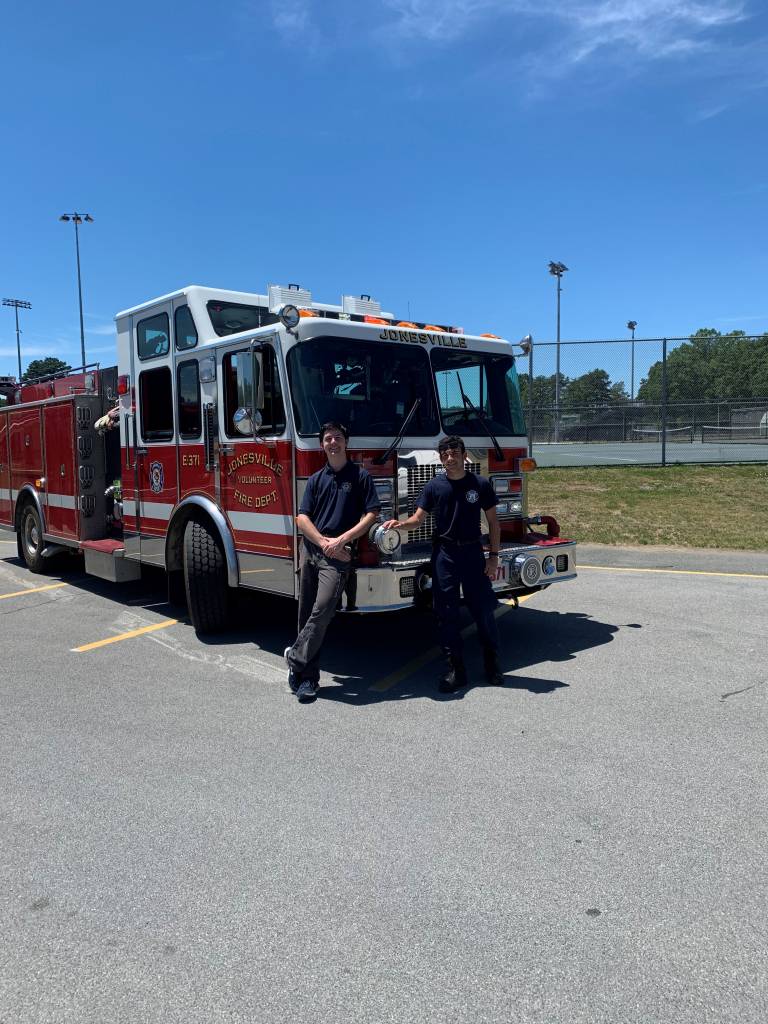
182	842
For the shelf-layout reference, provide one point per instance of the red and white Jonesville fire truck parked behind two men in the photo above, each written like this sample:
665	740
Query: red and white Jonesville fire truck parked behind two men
193	454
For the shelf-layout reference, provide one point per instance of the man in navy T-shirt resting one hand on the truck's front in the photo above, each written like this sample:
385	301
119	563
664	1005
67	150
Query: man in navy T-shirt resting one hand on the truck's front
459	564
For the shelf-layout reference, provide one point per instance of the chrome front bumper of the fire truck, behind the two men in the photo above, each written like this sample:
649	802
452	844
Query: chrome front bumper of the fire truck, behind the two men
524	569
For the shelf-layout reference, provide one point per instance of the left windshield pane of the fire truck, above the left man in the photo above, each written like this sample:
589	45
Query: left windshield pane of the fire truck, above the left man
368	387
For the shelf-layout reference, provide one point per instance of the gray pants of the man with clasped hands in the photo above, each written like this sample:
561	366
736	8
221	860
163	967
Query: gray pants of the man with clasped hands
321	584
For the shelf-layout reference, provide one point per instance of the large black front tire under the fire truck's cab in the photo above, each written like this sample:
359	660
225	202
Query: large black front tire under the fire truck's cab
205	579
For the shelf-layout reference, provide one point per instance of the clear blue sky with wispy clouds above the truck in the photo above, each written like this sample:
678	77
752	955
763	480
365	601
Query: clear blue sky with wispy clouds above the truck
436	155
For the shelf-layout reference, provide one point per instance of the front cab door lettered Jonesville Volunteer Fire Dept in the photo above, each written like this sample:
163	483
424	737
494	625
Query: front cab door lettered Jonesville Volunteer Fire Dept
257	464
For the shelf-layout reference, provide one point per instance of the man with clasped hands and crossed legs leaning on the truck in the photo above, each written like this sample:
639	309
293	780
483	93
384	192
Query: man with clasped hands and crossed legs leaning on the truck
340	504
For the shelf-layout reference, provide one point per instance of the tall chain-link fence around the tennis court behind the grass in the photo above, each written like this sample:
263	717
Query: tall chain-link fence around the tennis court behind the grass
702	399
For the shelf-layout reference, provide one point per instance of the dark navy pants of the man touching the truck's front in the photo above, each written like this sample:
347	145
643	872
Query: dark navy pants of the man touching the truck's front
463	569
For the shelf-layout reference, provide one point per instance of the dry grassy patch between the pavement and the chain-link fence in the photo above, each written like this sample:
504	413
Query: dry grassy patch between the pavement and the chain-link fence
685	506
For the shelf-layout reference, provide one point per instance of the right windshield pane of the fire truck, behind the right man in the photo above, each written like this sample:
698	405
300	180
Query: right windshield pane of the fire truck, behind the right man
489	381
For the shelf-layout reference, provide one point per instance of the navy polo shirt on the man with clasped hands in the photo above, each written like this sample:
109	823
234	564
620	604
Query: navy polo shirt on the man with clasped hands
337	501
